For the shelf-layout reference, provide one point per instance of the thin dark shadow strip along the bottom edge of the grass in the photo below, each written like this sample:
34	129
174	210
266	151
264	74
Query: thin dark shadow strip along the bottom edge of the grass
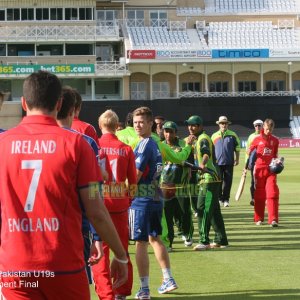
238	295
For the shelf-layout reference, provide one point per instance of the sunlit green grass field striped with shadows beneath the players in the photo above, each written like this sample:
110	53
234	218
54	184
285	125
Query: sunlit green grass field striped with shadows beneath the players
261	262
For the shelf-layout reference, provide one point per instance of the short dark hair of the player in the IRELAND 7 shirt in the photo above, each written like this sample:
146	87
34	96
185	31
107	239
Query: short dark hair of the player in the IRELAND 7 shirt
42	90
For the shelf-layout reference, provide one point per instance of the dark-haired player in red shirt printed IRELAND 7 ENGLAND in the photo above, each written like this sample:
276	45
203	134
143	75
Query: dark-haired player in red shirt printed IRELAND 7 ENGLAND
43	168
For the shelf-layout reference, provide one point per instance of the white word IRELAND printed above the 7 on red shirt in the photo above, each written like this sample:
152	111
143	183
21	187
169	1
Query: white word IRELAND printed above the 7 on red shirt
33	147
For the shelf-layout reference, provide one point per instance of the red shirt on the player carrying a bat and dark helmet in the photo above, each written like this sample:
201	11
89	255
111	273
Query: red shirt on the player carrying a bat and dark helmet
266	148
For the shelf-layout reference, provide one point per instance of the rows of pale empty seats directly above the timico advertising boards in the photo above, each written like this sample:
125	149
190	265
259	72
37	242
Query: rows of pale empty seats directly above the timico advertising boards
219	35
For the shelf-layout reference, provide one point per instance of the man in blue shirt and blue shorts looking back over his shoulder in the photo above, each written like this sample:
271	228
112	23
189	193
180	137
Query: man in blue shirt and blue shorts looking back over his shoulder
145	212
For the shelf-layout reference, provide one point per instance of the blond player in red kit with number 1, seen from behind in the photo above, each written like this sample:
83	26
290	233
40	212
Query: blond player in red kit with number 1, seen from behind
119	162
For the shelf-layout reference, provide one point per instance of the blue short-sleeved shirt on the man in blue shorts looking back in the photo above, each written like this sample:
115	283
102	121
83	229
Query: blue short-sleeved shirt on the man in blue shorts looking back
148	161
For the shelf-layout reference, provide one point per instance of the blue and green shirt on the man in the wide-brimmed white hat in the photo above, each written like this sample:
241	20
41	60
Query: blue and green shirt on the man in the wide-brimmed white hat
225	145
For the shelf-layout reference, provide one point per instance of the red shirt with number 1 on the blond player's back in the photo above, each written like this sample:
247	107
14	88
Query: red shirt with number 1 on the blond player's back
119	162
